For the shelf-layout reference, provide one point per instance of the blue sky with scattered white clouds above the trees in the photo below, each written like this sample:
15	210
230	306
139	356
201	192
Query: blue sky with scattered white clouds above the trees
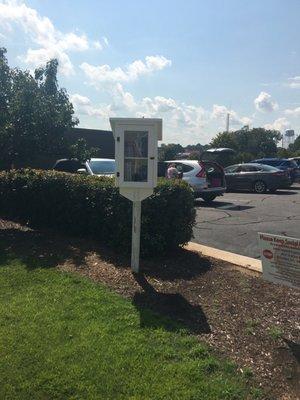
188	62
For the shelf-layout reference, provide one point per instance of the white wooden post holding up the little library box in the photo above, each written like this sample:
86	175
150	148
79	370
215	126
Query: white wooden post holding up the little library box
136	234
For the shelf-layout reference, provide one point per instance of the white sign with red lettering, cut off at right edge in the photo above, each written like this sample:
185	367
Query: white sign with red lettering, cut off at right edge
280	256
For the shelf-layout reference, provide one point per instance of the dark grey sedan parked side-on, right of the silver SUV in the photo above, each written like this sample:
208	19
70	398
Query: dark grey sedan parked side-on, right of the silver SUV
256	177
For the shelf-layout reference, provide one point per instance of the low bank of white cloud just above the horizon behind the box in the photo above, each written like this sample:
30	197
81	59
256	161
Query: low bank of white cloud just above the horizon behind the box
183	123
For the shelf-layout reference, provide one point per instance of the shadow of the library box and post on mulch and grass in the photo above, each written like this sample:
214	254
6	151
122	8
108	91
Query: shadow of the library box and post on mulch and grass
174	307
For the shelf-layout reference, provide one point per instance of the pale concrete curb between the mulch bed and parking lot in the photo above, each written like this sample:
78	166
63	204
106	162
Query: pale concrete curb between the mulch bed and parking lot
248	263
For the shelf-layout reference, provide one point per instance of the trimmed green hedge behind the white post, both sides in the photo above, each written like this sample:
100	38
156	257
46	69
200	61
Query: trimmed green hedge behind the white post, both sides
92	207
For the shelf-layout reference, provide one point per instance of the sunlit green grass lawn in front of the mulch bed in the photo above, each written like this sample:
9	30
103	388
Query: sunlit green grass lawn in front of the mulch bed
65	337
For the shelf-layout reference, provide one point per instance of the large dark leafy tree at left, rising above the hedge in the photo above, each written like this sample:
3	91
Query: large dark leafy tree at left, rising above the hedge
35	113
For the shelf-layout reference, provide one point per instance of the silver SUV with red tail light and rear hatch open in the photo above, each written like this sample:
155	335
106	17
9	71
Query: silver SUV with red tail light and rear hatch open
206	178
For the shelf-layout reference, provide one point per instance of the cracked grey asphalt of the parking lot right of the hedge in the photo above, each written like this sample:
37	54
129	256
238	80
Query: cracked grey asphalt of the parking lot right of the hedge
232	221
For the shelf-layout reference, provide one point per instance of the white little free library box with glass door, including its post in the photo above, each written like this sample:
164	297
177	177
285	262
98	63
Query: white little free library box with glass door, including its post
136	142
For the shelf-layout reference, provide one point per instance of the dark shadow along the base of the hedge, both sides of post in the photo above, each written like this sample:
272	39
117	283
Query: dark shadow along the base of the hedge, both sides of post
47	249
